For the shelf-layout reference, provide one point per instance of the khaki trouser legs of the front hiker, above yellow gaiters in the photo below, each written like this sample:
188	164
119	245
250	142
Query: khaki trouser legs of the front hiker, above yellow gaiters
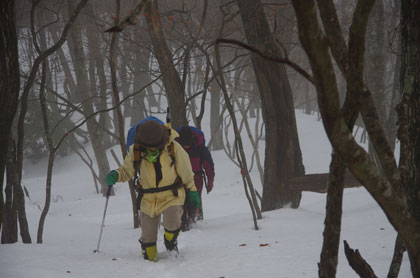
149	225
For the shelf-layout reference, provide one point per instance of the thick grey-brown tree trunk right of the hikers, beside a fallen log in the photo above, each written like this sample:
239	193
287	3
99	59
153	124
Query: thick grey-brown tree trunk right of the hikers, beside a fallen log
283	157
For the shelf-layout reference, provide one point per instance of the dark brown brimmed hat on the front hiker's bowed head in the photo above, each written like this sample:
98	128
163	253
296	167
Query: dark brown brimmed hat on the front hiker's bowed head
151	134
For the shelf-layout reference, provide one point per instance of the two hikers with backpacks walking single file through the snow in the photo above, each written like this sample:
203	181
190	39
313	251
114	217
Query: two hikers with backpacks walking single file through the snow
167	168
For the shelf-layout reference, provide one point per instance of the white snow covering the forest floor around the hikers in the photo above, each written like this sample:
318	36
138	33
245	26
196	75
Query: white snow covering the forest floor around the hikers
224	244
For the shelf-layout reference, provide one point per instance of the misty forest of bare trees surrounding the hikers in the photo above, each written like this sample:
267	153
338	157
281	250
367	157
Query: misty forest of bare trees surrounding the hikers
75	75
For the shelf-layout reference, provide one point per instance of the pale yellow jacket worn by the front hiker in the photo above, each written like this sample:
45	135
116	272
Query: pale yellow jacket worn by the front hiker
153	204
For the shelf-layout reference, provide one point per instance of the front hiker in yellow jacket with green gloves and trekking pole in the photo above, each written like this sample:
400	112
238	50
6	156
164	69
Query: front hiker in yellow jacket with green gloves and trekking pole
163	169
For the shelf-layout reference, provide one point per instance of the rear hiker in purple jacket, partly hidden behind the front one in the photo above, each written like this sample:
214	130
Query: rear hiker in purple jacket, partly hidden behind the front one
202	165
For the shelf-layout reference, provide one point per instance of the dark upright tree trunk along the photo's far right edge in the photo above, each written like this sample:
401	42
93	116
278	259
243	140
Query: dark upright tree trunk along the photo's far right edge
410	107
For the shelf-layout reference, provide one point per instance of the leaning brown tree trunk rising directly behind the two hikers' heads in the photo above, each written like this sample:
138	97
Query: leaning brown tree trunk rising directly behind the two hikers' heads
170	77
